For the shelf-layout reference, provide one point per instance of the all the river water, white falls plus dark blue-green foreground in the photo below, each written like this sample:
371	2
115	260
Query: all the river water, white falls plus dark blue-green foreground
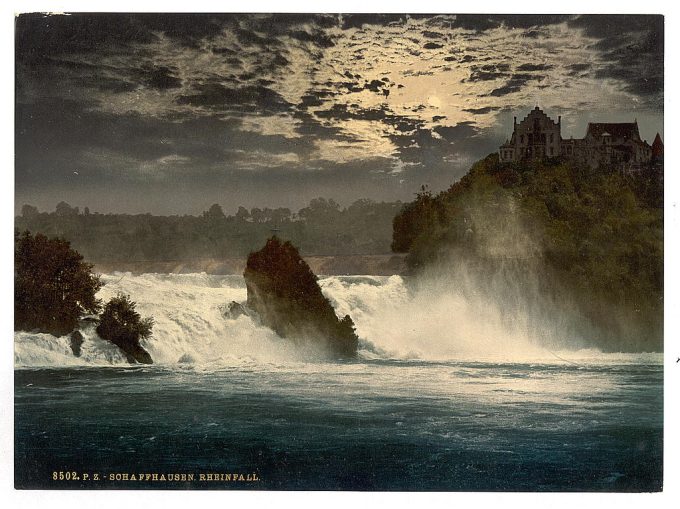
444	395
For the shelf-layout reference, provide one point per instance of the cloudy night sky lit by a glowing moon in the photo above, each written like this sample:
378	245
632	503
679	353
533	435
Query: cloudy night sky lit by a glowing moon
170	113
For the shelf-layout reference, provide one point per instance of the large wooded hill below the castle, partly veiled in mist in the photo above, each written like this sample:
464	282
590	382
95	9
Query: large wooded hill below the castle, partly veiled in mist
590	241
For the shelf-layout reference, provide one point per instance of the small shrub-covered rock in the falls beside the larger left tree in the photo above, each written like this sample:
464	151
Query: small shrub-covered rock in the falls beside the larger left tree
123	326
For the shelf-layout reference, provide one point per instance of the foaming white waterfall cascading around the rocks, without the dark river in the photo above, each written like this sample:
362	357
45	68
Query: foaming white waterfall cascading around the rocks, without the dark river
432	323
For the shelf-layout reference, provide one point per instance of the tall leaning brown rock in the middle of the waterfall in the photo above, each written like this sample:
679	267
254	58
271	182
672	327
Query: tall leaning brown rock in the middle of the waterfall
284	292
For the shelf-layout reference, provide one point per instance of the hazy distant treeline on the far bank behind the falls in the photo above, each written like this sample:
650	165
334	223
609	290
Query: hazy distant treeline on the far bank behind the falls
323	227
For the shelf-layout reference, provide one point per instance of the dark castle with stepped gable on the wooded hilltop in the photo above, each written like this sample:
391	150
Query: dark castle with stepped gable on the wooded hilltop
605	144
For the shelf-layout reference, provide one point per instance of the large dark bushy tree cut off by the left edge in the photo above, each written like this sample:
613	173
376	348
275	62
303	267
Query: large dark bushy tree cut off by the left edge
53	286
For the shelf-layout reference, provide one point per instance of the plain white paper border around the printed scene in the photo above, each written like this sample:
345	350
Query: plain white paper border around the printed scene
116	499
